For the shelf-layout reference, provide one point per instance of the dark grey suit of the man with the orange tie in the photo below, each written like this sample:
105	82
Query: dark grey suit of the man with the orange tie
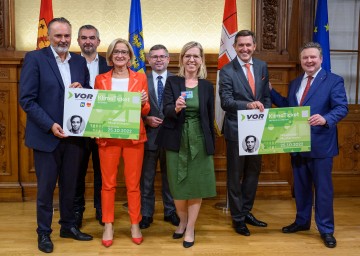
242	171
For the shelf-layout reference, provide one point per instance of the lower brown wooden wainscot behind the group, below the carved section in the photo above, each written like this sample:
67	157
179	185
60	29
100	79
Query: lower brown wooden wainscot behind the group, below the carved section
18	180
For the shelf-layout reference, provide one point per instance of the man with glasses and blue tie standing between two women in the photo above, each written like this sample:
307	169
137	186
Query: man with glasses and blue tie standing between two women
158	59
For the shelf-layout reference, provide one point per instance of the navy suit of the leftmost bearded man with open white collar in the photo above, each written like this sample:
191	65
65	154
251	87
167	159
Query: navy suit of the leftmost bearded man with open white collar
42	98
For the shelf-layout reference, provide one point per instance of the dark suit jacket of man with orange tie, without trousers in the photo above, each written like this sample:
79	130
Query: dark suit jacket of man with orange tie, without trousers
235	92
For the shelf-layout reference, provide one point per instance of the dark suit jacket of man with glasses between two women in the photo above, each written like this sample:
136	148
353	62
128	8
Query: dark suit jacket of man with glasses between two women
155	110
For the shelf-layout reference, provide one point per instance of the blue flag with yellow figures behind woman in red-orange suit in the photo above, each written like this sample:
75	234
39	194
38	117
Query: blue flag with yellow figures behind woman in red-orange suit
136	38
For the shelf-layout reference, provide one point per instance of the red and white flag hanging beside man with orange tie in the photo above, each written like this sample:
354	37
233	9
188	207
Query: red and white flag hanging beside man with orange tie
226	54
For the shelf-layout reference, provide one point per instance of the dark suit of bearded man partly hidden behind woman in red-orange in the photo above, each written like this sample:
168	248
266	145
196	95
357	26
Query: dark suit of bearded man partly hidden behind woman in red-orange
91	147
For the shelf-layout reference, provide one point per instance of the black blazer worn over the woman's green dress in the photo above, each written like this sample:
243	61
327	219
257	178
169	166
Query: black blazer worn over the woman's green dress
169	135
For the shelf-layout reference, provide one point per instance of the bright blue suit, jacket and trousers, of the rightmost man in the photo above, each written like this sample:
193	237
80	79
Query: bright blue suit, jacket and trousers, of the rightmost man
327	98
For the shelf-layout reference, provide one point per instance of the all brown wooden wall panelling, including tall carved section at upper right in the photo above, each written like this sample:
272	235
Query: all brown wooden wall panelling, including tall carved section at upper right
280	27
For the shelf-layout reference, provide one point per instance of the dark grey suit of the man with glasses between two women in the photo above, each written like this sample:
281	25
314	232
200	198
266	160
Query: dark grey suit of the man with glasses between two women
151	155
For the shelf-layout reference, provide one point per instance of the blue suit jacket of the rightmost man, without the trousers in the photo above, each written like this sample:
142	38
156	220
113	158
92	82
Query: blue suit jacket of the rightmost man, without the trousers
326	97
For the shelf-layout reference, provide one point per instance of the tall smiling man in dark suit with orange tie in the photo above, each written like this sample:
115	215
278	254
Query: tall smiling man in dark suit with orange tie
243	84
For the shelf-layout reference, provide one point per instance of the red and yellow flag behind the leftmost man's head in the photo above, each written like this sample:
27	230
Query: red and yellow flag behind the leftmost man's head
46	15
